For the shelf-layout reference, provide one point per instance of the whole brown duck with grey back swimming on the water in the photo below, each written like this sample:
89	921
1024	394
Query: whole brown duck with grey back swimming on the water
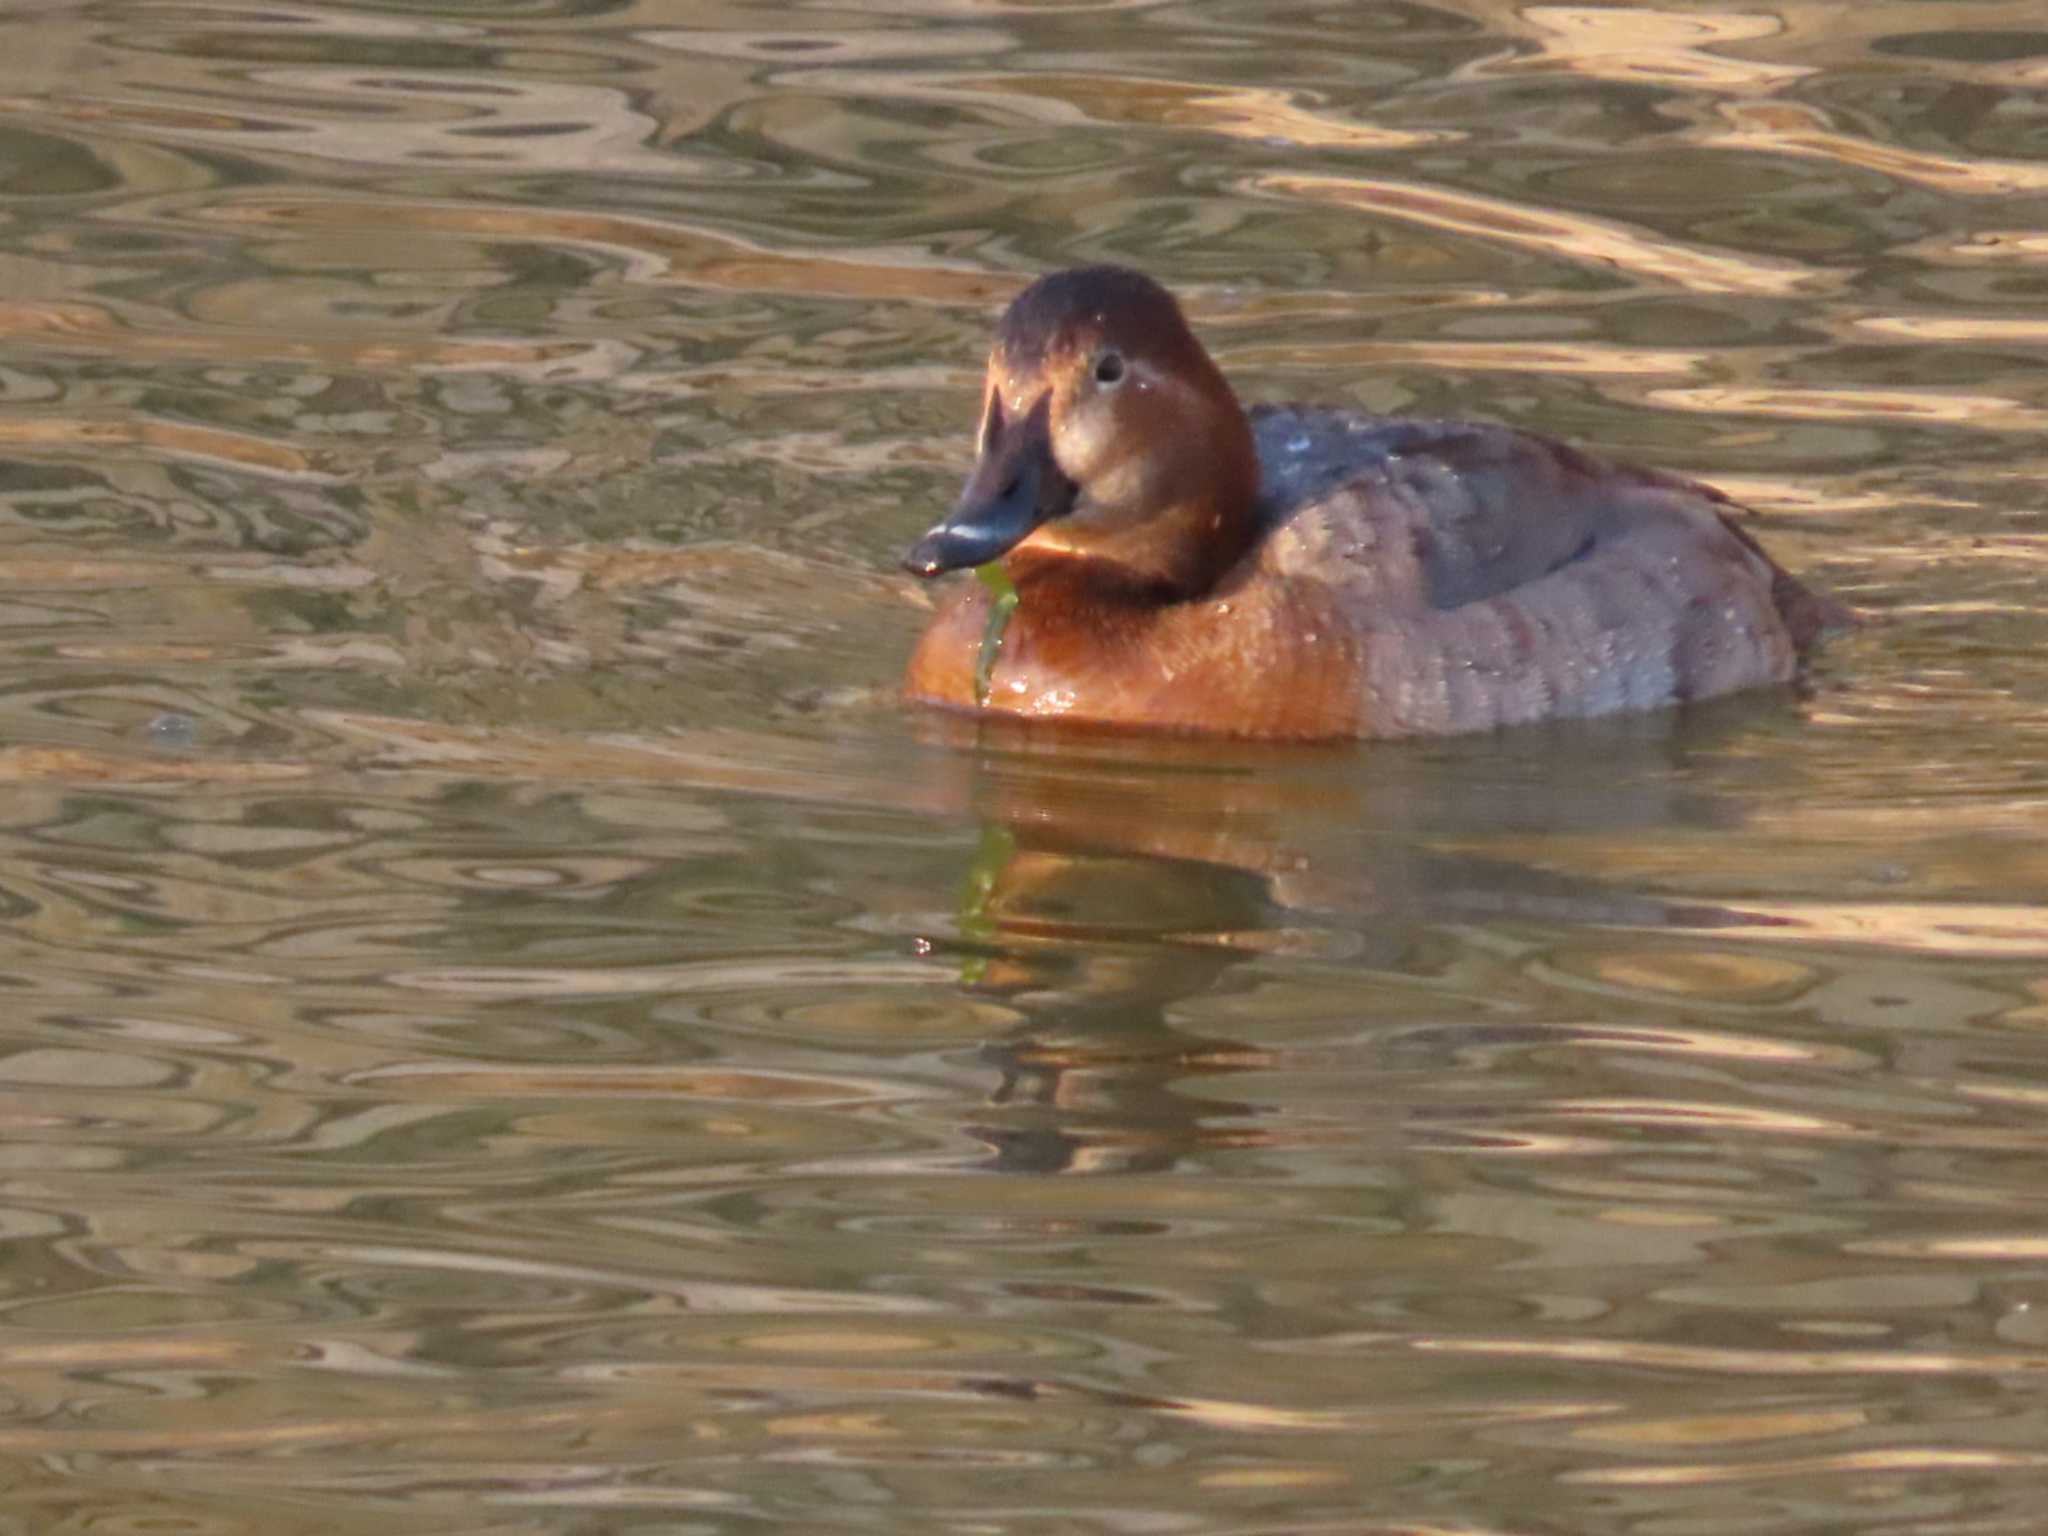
1160	558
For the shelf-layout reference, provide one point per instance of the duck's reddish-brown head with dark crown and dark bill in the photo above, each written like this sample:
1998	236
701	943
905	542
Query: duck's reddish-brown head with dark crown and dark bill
1107	437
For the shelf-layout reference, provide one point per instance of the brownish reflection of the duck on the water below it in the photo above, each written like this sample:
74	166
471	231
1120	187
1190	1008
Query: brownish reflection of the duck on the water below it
1119	882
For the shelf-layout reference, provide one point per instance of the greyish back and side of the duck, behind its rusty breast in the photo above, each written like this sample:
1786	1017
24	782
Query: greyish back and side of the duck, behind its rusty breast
1482	577
